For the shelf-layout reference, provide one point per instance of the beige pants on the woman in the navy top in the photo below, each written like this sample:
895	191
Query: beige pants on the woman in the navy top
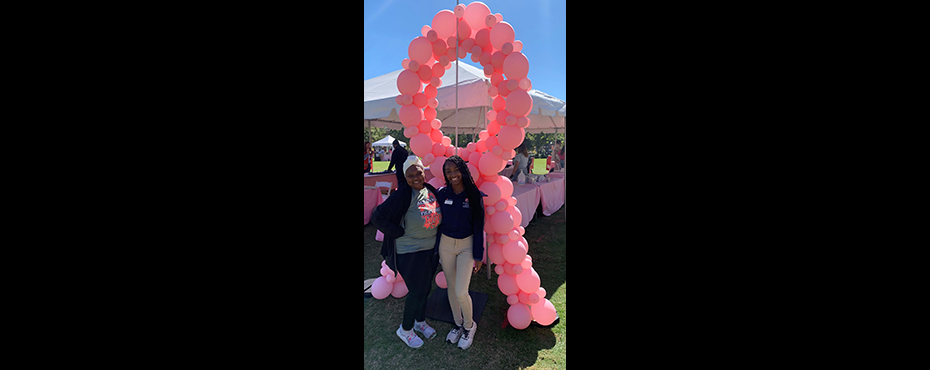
457	264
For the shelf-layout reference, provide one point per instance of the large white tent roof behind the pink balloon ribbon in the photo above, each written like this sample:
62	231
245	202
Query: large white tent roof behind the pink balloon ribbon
547	115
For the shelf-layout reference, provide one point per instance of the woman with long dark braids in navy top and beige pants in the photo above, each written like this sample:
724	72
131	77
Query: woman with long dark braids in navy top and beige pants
461	244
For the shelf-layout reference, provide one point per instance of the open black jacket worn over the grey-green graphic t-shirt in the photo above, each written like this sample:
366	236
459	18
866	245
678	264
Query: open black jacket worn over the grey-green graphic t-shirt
386	217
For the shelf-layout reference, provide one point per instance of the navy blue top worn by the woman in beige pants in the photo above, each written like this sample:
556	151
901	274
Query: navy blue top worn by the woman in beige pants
457	221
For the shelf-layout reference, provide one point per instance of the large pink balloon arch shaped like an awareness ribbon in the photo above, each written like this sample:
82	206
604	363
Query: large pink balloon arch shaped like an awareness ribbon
490	41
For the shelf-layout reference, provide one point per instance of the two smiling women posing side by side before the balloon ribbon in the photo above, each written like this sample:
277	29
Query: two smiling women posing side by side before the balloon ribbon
420	222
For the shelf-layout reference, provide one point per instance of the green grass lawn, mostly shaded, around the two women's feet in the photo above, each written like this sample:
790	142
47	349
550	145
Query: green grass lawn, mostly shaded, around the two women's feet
494	347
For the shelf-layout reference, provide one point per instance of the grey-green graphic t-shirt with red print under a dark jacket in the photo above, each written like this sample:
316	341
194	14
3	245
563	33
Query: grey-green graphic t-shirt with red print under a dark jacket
421	223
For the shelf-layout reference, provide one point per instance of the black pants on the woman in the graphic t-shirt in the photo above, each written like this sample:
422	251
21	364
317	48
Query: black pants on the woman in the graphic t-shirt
417	270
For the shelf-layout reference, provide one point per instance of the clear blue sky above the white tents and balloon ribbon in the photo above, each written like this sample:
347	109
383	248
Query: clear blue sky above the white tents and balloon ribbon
390	25
